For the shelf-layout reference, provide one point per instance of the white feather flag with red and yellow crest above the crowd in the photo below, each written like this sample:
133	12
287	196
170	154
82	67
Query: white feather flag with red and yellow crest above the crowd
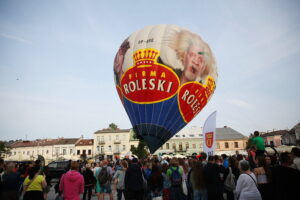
209	134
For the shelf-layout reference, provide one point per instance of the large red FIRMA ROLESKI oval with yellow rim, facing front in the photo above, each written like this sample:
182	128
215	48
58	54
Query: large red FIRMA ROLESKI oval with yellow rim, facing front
149	83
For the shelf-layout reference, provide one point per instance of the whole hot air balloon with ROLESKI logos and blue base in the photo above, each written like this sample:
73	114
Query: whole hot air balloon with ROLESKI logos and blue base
164	76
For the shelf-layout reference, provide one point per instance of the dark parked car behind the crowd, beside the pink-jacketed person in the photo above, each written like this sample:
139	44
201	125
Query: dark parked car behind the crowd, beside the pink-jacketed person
56	168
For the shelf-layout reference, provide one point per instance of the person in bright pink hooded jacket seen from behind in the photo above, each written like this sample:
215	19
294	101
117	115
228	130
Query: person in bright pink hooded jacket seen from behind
72	183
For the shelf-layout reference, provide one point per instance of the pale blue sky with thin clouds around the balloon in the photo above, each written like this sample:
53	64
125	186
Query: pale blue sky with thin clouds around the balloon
56	62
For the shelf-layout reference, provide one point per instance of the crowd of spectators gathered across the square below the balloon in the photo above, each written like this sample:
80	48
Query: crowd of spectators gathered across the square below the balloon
256	176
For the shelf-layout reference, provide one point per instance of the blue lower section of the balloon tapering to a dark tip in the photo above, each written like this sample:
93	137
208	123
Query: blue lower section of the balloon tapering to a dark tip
156	123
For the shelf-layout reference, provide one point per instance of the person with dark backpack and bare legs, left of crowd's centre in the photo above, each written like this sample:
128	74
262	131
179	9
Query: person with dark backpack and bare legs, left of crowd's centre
104	177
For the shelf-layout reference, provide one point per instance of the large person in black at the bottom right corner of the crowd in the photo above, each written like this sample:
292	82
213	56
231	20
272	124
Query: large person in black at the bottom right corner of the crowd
285	179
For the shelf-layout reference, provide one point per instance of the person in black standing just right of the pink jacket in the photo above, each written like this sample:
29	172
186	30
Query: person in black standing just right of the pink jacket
89	181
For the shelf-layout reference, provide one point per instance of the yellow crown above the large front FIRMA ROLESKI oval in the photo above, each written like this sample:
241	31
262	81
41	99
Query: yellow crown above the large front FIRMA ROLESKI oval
145	56
